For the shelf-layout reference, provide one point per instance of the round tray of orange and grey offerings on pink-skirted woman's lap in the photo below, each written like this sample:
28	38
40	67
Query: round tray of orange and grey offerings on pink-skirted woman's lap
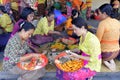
67	64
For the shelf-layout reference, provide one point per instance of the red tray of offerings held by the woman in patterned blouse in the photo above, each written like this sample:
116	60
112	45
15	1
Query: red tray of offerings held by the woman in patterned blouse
34	63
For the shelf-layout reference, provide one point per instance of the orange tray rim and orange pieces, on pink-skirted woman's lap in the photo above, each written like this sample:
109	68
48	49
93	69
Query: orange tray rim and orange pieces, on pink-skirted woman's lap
69	66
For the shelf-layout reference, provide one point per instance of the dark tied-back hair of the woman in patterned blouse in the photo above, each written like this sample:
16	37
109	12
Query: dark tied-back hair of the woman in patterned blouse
26	26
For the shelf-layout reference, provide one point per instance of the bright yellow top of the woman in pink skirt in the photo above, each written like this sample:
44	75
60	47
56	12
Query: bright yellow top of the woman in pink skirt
91	46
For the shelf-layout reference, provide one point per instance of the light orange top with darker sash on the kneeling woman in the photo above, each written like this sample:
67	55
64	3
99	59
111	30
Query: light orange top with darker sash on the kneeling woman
108	33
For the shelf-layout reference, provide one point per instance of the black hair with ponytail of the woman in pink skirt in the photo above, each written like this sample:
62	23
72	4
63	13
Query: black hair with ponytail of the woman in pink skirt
79	22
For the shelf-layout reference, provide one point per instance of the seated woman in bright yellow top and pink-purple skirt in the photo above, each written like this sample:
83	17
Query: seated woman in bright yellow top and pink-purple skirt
89	53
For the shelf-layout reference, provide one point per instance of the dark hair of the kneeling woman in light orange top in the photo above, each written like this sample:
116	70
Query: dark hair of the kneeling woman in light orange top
107	8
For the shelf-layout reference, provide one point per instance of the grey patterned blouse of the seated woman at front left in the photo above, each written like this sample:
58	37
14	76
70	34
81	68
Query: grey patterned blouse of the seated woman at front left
13	51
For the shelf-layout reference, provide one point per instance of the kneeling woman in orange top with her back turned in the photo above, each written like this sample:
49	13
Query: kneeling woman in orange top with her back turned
108	35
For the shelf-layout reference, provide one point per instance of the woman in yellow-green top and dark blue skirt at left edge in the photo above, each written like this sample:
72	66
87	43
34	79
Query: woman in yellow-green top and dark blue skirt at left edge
6	25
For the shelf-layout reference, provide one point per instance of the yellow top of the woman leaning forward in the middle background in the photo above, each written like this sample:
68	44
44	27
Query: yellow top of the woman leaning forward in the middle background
43	28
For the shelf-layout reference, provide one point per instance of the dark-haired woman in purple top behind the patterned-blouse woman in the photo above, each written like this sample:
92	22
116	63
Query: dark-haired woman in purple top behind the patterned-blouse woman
26	15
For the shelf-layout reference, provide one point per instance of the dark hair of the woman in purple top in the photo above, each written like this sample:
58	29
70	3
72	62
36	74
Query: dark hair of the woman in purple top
25	12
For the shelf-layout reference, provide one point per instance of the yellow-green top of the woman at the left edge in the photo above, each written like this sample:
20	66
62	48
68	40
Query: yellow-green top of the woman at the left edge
6	23
